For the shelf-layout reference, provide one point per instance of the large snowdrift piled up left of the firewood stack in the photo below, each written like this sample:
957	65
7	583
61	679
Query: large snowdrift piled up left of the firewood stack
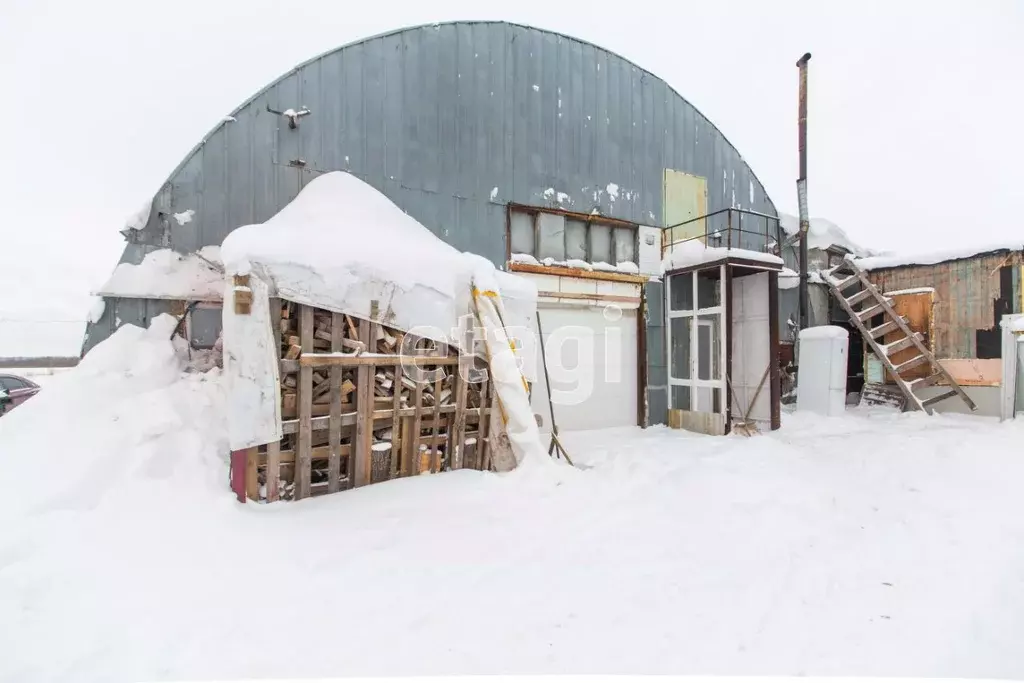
125	418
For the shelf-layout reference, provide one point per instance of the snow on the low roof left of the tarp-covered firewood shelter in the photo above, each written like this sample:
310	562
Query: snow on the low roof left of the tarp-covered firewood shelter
167	275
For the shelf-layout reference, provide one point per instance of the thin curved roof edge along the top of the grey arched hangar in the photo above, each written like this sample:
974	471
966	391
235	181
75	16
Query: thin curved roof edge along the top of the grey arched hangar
303	65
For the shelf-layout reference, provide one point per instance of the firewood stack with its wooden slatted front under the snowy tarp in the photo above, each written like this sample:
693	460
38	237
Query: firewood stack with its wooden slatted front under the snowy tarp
366	413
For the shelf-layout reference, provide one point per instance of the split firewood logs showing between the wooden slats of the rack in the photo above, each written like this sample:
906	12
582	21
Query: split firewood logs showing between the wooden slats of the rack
426	410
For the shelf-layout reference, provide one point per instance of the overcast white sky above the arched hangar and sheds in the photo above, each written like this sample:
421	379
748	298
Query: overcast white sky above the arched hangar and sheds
916	108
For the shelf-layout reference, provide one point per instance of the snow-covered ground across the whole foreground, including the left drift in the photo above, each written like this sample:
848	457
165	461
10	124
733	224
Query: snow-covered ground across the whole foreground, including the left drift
876	544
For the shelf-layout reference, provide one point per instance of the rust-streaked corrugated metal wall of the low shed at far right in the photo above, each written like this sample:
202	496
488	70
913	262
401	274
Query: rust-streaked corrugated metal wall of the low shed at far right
965	293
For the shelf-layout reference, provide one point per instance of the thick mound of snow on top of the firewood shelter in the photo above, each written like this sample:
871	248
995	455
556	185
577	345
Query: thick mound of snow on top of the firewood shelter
343	244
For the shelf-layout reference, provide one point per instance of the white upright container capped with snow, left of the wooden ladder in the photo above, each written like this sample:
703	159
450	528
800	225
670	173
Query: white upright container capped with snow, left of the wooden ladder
823	368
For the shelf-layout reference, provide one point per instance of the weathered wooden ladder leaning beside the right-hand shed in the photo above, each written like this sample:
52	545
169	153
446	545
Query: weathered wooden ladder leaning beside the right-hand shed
875	304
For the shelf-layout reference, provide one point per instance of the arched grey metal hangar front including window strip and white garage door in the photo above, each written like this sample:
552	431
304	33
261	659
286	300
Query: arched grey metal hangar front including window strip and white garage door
502	140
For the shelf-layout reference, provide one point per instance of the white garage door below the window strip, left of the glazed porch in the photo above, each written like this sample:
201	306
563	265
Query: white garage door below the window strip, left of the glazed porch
592	362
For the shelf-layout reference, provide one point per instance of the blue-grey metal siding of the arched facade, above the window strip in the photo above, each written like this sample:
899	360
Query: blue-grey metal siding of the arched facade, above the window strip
439	117
